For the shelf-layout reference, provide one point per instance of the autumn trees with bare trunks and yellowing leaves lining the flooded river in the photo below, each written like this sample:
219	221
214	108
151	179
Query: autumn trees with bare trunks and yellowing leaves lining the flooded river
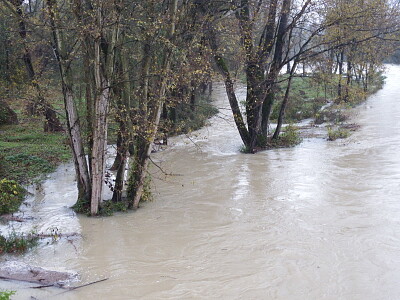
136	61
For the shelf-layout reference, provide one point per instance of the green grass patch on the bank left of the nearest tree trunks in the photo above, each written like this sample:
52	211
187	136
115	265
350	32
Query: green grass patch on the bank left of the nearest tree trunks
26	152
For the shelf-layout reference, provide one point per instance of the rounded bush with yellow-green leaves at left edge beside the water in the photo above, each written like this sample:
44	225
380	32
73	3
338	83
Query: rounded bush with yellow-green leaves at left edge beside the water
11	196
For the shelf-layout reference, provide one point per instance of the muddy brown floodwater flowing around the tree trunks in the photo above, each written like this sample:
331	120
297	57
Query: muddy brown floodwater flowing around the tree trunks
317	221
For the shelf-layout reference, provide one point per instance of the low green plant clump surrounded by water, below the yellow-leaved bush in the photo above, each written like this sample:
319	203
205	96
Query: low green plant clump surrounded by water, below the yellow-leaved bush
17	243
